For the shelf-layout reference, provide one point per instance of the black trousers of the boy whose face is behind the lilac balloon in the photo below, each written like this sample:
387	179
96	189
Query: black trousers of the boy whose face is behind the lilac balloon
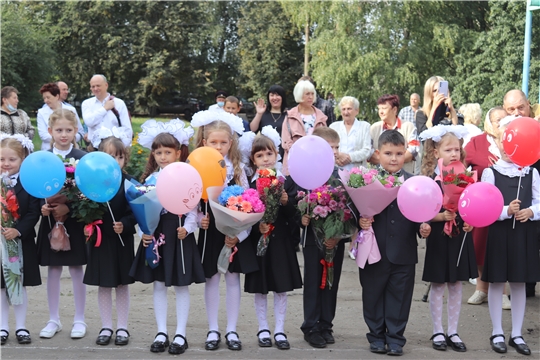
319	304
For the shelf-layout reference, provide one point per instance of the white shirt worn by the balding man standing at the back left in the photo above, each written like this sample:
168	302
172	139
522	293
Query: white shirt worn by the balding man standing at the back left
94	115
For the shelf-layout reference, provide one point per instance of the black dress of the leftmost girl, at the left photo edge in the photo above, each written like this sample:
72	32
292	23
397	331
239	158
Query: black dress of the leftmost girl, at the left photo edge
29	211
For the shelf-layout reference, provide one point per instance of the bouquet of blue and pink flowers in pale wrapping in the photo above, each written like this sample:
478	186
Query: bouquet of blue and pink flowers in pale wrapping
235	210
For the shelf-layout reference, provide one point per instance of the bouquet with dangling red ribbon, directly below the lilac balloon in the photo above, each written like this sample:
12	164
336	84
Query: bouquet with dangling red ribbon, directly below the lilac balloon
330	218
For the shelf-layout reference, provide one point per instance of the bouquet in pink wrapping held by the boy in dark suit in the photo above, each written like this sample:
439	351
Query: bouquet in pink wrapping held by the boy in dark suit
371	190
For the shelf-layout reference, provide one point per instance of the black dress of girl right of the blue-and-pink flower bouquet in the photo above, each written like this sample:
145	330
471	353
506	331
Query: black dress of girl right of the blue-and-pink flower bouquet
278	268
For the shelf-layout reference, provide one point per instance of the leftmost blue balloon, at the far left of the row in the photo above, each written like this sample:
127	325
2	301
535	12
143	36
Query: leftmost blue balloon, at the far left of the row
42	174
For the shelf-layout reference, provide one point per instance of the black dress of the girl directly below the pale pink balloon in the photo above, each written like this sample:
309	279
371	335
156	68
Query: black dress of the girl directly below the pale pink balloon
170	269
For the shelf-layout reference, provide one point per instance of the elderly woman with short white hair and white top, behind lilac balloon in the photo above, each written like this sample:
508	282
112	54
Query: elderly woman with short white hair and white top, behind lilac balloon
354	138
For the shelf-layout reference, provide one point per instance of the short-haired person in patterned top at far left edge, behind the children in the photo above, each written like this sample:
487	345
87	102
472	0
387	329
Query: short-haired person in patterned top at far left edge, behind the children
12	120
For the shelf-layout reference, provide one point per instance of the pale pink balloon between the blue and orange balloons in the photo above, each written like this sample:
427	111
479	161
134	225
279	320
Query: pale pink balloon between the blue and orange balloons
179	188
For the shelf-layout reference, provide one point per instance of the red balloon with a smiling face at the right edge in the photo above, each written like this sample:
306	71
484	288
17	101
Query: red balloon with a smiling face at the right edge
520	141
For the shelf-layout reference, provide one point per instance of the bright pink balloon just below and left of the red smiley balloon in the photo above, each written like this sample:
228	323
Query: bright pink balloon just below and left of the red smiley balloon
480	204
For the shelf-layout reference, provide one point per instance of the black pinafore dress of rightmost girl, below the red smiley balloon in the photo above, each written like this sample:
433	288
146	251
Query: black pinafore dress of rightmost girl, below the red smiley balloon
512	253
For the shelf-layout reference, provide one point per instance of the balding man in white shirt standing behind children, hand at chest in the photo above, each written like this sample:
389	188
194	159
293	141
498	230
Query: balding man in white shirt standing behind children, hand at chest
104	109
